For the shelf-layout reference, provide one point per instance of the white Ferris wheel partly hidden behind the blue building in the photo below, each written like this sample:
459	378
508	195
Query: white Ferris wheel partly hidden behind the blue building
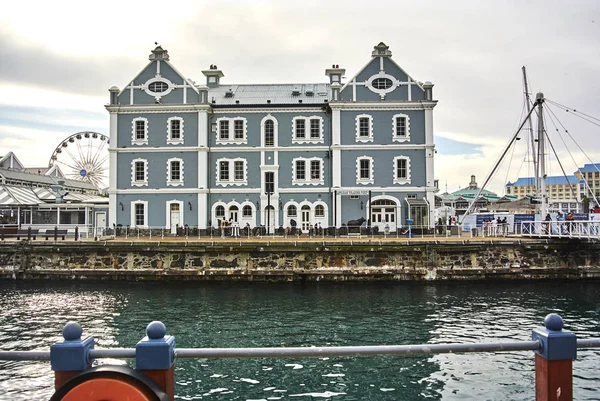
84	157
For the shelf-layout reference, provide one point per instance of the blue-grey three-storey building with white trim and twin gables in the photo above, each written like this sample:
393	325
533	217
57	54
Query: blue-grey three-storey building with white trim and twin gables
273	154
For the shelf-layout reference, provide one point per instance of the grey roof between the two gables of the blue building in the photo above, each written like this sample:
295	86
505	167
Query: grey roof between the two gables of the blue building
261	94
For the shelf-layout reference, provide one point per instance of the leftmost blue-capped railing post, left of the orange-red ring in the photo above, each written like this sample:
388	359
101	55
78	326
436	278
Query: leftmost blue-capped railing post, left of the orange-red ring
71	356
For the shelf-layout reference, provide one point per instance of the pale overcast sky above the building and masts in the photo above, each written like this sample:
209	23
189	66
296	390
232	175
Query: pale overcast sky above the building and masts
59	58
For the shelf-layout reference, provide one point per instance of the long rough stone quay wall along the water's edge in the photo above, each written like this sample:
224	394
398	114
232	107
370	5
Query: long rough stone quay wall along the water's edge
366	260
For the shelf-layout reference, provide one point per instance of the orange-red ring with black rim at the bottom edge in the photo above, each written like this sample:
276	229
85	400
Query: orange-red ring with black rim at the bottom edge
110	383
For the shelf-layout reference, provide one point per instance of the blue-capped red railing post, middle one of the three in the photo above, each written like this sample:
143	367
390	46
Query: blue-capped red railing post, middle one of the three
155	357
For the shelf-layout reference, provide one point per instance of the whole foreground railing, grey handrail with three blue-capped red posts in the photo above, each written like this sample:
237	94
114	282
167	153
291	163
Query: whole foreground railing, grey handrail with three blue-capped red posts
155	355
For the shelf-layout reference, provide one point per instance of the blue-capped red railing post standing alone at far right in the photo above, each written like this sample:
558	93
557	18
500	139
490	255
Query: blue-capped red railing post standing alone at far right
554	362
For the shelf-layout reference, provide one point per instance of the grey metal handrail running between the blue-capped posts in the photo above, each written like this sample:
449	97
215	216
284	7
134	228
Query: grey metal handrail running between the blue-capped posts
288	352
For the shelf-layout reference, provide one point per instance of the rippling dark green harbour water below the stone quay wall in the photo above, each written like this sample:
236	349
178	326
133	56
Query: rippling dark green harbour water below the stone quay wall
257	315
